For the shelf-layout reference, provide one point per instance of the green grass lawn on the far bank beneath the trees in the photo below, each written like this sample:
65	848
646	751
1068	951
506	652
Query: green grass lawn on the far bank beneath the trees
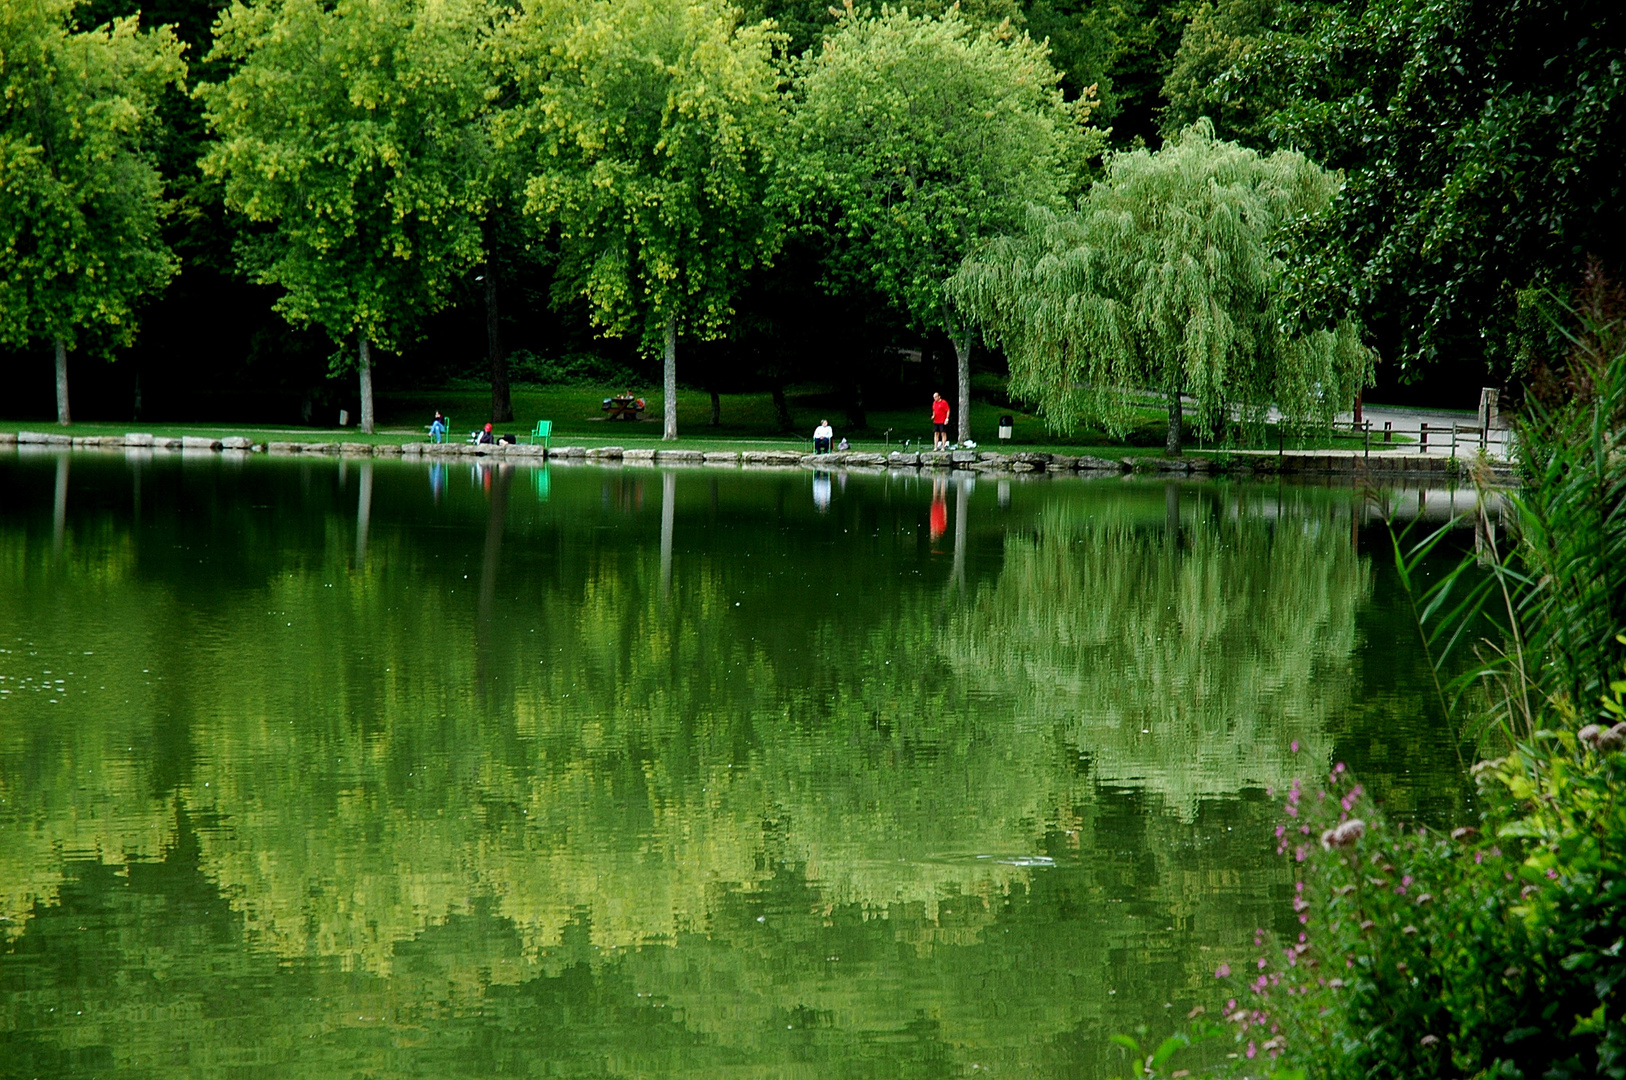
749	422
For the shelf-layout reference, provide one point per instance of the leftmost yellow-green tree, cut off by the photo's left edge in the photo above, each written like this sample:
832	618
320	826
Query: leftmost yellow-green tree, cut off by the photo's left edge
80	194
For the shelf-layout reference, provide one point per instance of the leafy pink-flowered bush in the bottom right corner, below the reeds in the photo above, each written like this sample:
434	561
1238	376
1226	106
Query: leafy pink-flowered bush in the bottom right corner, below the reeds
1490	952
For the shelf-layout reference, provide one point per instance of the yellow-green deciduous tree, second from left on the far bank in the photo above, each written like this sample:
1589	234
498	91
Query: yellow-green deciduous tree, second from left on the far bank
350	133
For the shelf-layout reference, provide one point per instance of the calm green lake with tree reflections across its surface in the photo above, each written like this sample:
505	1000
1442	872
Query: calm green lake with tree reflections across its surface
336	770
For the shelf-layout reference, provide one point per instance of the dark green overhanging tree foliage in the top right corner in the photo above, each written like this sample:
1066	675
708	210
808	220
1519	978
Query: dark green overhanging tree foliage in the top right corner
1482	142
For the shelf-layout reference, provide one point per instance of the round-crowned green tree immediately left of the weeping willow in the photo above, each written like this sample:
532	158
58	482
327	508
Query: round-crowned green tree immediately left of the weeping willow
915	141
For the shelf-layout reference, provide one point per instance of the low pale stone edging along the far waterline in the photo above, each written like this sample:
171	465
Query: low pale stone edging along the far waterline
1319	463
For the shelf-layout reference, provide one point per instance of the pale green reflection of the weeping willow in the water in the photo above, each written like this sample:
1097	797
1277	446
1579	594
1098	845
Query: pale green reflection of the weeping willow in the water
1180	660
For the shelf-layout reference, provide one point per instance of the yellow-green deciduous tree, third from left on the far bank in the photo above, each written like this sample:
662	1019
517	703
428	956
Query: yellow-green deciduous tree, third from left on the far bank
646	129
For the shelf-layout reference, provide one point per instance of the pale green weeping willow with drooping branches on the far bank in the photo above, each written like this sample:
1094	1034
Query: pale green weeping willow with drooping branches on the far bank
1170	277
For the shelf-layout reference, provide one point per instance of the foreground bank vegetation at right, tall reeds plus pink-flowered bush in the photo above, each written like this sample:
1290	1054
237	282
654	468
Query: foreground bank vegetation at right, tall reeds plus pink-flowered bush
1495	951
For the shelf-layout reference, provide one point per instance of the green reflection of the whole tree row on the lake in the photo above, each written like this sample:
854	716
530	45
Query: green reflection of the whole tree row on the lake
817	804
